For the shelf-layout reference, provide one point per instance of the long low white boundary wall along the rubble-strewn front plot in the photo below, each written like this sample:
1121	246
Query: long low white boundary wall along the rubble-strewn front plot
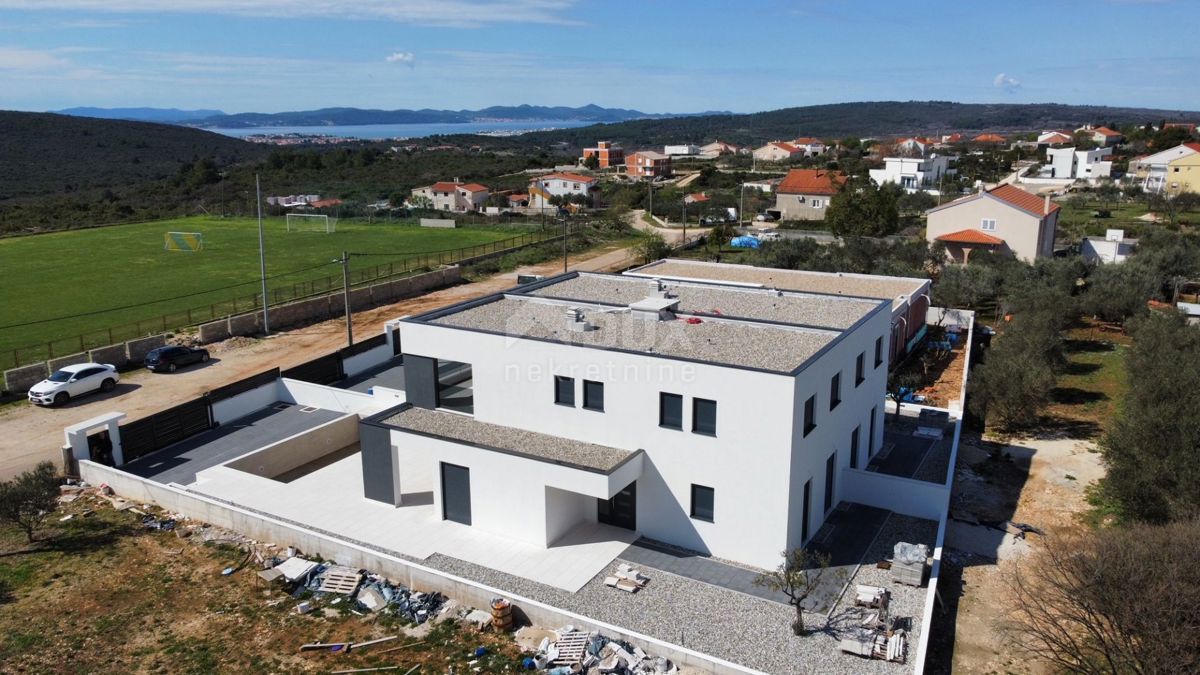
411	575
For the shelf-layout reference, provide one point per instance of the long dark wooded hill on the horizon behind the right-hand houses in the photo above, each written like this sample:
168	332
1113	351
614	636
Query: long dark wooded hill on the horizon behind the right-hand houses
877	118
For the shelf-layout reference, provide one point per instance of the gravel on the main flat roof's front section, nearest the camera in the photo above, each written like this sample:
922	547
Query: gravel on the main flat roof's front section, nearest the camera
733	343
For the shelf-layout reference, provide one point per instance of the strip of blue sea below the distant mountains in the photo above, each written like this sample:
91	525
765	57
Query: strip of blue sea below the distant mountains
400	132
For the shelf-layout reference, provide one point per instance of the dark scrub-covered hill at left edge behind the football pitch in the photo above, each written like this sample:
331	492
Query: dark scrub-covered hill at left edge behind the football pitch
46	153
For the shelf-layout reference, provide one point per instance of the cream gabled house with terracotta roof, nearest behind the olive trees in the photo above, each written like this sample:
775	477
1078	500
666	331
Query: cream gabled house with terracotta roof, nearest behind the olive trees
1005	219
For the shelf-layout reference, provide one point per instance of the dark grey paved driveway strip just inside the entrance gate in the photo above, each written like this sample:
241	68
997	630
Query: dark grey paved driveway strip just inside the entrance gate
181	463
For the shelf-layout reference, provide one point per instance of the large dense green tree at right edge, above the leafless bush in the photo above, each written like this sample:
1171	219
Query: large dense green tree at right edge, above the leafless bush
1153	449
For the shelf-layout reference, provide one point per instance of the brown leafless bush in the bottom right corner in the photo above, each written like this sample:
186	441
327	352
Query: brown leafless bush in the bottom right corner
1112	601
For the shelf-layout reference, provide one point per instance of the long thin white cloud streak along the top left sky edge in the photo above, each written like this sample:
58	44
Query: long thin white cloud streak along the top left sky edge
464	14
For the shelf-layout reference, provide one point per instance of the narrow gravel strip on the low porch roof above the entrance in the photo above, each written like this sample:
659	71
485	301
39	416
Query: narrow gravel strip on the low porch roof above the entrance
529	444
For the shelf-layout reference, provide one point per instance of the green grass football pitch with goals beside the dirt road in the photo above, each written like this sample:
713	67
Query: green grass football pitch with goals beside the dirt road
67	274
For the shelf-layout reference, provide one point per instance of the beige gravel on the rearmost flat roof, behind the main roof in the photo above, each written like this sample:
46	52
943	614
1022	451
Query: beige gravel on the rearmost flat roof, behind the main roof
865	286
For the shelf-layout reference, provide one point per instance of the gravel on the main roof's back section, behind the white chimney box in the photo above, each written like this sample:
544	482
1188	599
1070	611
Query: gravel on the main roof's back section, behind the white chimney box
699	298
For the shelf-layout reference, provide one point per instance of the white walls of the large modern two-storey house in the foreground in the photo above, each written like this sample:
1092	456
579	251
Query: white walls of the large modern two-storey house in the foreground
757	463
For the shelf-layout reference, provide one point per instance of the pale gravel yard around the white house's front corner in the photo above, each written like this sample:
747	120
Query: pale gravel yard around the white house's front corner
731	625
